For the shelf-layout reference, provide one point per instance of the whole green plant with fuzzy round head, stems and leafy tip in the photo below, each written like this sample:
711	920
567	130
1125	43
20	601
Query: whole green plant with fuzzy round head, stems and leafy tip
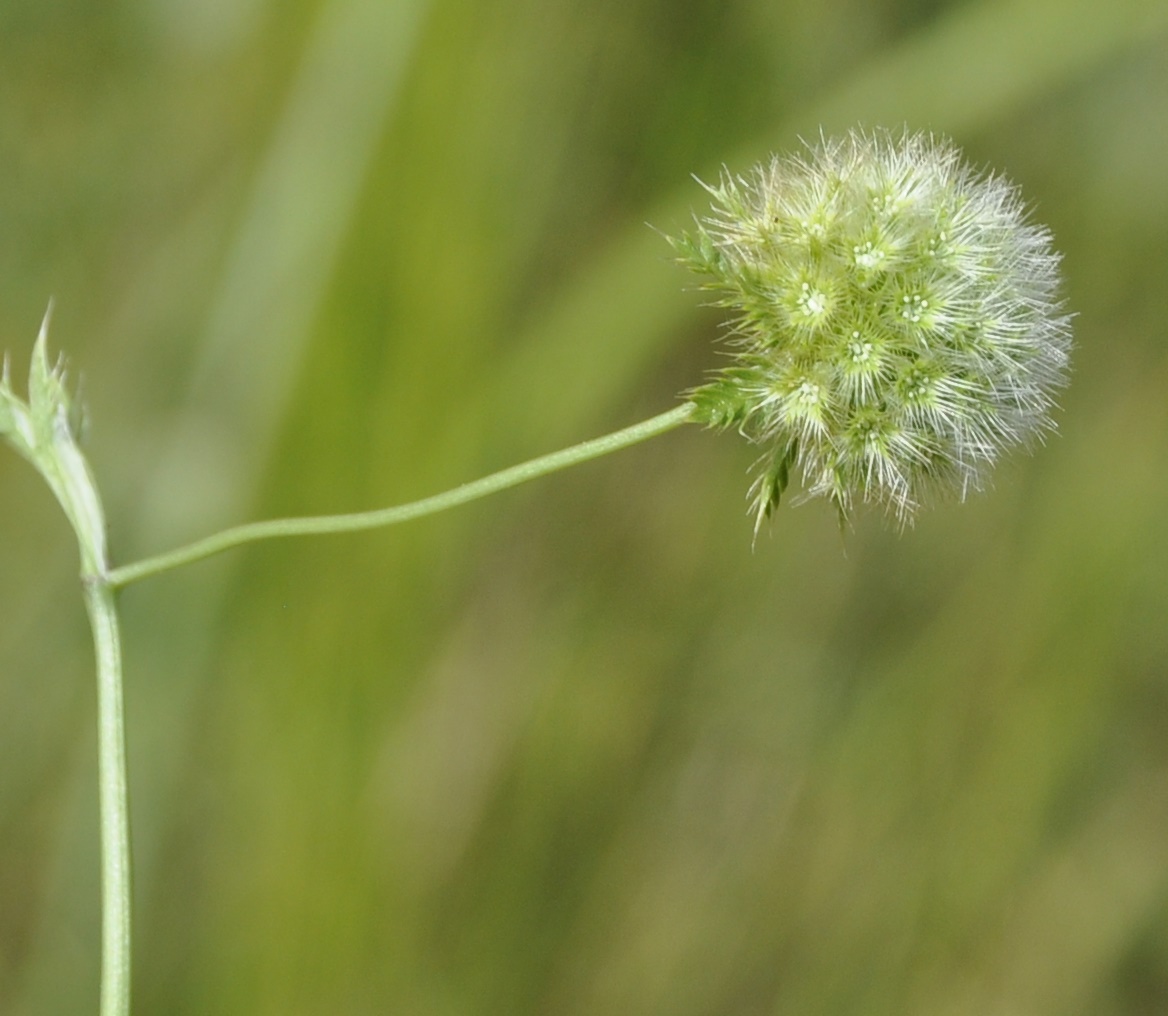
895	325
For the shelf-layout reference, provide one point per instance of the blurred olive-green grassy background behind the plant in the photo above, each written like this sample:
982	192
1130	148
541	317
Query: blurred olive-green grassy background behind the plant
576	749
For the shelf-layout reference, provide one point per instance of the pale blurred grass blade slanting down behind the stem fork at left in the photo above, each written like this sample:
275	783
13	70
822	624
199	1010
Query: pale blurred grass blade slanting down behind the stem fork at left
305	196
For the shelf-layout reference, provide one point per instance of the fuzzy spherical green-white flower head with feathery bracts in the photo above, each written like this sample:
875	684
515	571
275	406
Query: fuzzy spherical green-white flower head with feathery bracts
898	323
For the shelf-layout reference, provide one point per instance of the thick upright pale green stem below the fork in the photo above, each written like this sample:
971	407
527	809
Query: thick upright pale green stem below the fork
114	798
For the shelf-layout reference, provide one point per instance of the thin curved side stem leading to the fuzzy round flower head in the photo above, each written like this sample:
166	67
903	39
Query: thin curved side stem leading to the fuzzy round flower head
512	477
